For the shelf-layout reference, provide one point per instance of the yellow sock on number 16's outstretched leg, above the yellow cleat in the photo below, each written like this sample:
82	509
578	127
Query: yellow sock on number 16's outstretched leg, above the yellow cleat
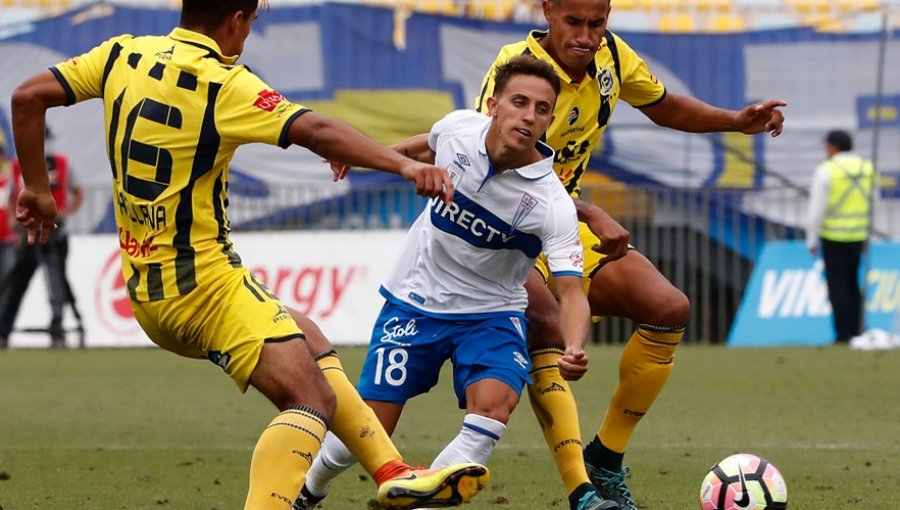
354	422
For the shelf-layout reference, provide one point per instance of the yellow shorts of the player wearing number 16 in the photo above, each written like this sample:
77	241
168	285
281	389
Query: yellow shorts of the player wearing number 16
226	321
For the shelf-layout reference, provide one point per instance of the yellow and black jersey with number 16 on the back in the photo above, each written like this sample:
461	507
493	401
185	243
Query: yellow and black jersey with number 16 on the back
175	110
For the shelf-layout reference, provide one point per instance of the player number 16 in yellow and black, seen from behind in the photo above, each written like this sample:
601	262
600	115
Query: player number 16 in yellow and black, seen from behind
176	107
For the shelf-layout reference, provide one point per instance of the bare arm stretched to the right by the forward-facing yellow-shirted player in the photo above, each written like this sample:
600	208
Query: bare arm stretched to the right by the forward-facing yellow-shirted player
692	115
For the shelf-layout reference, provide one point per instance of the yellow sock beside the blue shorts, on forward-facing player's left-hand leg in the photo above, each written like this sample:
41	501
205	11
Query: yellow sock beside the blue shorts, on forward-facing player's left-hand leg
554	407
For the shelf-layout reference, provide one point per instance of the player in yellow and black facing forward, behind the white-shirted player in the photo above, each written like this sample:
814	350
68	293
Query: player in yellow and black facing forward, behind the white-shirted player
598	69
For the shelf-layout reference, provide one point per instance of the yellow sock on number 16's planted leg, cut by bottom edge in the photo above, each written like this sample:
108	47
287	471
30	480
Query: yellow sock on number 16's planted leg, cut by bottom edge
281	458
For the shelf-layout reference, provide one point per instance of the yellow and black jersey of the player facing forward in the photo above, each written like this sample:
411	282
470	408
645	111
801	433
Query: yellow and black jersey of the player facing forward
583	108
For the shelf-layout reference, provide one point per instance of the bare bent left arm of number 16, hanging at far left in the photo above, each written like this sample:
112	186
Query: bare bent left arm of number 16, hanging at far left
35	209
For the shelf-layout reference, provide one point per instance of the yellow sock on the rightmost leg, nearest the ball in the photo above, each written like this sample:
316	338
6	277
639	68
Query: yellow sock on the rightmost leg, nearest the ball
643	370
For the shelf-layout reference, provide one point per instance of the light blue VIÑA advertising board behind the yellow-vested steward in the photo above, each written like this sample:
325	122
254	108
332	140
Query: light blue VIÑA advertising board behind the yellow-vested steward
787	303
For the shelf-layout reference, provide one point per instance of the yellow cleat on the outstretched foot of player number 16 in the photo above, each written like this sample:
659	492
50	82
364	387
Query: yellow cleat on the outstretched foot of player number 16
434	488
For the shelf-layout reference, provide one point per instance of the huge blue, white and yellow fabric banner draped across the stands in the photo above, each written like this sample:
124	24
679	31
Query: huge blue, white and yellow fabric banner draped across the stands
393	76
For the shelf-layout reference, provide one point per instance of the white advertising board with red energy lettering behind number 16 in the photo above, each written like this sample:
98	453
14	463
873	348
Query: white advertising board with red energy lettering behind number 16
333	277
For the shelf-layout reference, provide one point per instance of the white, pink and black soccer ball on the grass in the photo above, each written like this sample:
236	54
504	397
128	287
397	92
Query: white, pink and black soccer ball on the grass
743	481
